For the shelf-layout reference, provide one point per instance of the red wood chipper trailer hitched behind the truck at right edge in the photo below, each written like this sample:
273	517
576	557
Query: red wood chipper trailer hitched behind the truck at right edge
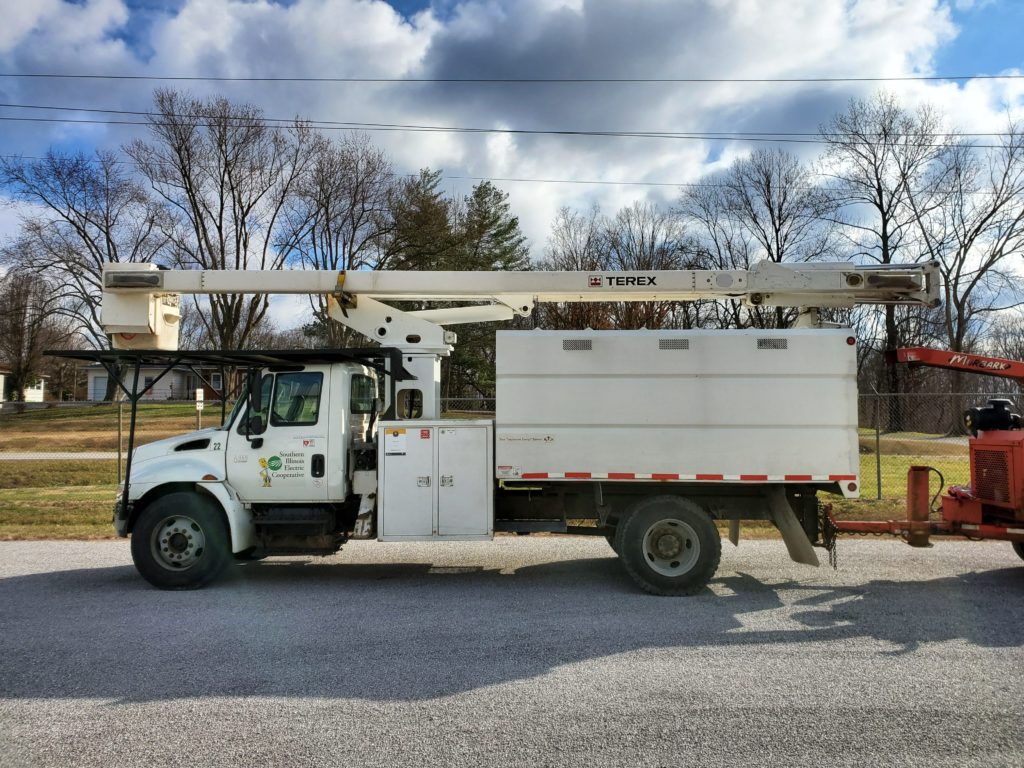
993	506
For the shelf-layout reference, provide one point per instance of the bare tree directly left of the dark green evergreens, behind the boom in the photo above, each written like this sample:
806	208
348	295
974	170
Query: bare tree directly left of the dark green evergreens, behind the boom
339	216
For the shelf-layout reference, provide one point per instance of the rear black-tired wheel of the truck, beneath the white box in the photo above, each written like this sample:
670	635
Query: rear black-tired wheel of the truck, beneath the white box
684	536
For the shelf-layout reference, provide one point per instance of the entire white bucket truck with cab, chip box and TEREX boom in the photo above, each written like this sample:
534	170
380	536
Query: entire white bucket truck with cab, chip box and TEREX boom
650	439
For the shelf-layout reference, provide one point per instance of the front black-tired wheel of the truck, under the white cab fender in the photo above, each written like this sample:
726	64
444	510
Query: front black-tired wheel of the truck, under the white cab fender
181	542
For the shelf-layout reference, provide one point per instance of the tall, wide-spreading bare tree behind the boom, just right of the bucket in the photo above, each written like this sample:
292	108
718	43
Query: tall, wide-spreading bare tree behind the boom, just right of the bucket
226	178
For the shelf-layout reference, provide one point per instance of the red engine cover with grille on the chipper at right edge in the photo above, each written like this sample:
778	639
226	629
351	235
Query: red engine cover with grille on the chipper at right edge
998	470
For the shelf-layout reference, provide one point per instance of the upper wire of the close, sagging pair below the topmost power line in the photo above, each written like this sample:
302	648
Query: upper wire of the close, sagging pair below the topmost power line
351	124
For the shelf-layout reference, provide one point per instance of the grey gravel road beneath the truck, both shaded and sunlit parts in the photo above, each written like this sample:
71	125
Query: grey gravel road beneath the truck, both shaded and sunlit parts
518	653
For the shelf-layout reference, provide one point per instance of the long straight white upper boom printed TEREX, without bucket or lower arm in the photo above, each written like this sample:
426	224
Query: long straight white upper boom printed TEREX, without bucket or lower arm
769	284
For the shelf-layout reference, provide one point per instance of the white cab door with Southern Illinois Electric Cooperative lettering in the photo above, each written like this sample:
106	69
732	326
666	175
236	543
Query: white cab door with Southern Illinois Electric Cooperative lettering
285	458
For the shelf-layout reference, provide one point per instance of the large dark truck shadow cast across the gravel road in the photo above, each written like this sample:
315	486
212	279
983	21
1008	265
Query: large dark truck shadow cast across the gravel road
407	632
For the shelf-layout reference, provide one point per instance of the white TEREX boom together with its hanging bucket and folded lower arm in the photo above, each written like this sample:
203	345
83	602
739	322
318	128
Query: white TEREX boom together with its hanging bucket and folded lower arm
140	301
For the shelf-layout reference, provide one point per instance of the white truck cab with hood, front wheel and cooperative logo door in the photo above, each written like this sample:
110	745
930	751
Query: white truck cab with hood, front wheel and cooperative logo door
280	477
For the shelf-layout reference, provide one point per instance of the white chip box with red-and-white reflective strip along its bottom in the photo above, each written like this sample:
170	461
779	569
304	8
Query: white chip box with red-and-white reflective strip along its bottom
690	406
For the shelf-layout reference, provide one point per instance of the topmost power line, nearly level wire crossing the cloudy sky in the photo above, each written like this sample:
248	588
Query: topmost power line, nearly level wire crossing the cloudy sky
505	81
